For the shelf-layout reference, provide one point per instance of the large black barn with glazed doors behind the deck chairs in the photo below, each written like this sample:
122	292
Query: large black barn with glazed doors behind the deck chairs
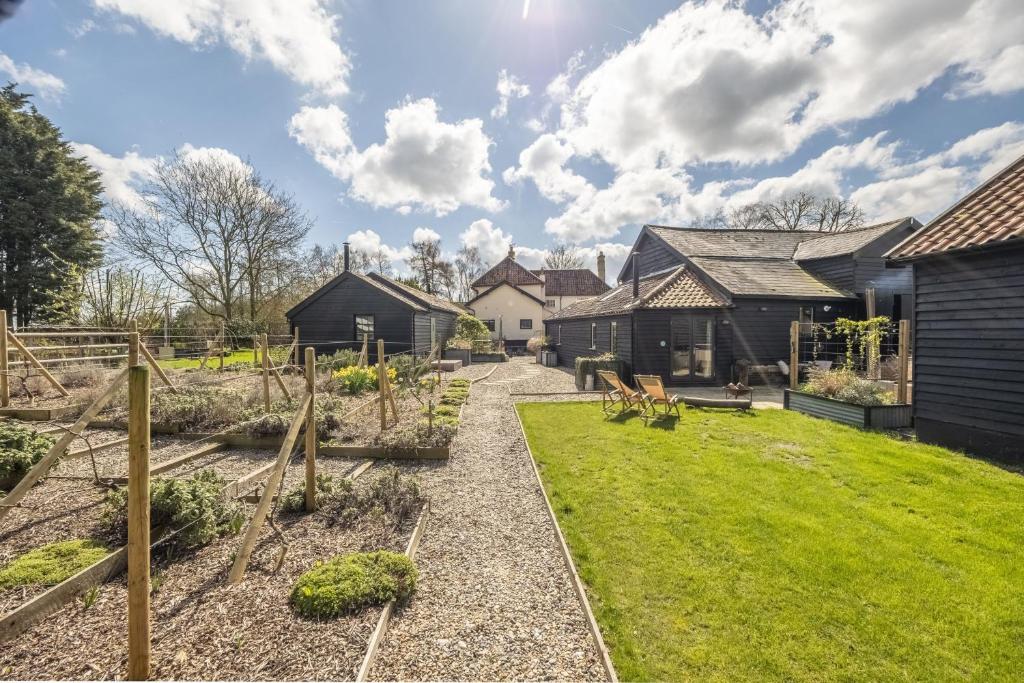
691	303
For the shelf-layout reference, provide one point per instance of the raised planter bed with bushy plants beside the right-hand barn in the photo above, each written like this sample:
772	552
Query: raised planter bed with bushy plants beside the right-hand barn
843	397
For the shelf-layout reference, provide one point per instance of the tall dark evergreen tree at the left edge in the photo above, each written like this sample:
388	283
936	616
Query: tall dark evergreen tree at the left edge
50	205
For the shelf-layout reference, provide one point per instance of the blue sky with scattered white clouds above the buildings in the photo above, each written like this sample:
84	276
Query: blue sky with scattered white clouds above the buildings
536	122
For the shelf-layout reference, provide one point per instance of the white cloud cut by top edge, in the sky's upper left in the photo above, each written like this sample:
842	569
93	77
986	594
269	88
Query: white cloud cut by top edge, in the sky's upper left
298	37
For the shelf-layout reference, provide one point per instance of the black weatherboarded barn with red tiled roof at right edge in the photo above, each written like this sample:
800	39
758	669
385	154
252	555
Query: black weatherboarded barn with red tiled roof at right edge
969	321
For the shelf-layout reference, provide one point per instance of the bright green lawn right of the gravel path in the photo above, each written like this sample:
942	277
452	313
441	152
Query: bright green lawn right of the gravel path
777	546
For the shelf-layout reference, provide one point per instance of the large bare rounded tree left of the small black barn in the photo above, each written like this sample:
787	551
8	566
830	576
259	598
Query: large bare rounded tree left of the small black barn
216	230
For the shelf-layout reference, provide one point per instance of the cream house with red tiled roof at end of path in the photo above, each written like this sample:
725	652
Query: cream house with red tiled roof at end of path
514	302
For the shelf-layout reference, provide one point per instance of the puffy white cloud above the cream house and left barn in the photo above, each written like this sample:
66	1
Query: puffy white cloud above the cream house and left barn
423	163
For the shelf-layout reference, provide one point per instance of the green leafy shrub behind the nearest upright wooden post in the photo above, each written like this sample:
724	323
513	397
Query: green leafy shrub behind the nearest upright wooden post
195	506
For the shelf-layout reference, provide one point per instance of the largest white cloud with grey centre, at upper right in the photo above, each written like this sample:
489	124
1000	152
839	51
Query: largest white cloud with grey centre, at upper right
711	82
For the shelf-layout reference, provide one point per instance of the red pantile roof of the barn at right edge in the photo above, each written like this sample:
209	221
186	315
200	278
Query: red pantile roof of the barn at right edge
992	214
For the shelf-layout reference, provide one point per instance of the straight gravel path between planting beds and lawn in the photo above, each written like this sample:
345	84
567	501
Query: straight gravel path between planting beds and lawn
495	602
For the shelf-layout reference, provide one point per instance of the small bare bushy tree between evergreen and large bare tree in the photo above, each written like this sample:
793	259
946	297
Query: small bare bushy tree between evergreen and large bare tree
114	297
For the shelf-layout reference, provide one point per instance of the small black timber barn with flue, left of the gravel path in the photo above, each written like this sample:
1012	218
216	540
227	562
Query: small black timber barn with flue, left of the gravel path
407	319
